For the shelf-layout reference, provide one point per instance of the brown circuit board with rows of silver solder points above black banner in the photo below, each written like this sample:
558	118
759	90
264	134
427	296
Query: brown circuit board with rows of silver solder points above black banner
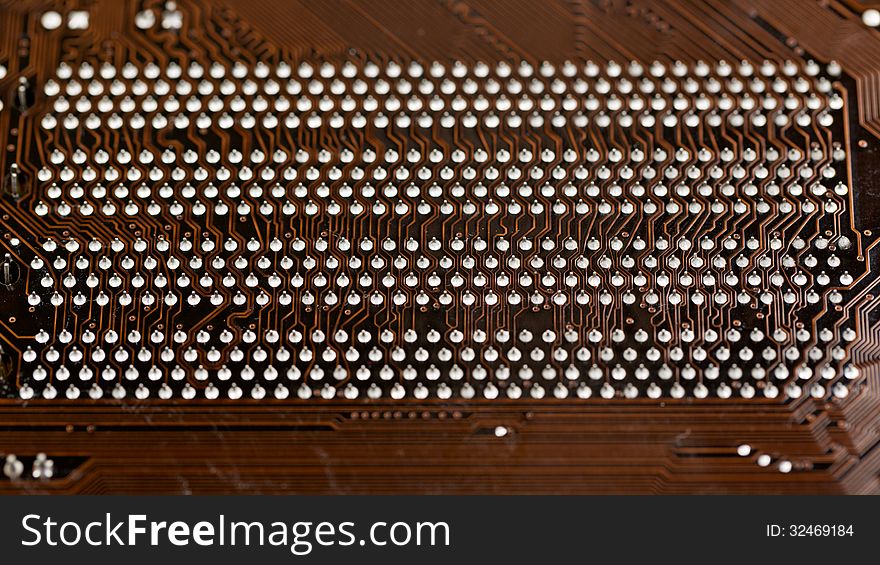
445	246
